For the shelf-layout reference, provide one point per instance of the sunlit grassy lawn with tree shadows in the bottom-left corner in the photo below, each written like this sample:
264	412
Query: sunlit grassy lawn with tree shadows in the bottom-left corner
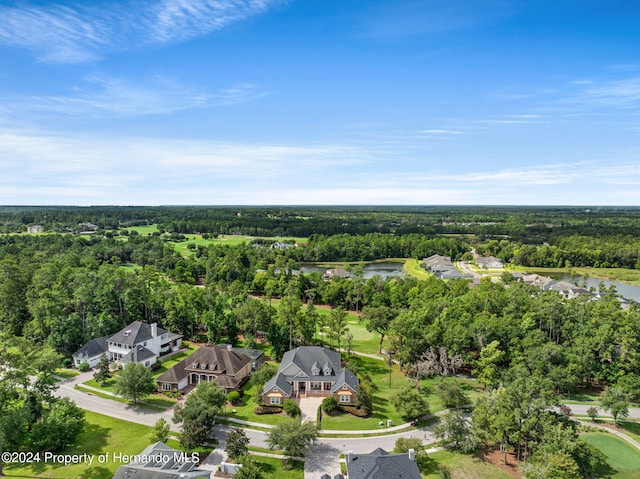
102	435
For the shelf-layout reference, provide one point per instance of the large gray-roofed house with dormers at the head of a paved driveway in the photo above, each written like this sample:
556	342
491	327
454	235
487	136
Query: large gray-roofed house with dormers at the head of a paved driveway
309	371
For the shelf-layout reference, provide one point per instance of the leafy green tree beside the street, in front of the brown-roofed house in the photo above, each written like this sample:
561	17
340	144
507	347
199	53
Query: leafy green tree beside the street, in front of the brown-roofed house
198	414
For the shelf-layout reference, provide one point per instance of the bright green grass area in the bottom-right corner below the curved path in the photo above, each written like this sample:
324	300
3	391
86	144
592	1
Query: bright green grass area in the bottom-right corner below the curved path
623	459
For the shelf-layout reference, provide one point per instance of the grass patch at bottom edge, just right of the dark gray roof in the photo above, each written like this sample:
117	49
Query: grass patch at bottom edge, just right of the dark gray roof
464	466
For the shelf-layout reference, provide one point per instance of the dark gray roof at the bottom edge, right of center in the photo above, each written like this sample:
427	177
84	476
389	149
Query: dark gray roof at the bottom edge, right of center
382	465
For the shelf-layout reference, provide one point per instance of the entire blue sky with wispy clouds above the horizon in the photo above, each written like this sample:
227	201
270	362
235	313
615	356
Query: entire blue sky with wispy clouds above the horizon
153	102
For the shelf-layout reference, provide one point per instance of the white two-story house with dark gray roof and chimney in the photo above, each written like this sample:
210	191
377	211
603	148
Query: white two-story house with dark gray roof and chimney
138	342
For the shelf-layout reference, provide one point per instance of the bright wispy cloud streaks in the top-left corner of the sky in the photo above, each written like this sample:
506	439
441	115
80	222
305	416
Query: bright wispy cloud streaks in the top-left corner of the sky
68	33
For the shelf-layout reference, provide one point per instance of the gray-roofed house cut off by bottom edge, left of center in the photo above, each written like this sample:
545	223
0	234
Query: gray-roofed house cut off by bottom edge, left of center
159	461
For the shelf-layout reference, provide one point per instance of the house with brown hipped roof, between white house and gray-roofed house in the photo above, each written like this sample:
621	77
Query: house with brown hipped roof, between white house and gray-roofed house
209	363
